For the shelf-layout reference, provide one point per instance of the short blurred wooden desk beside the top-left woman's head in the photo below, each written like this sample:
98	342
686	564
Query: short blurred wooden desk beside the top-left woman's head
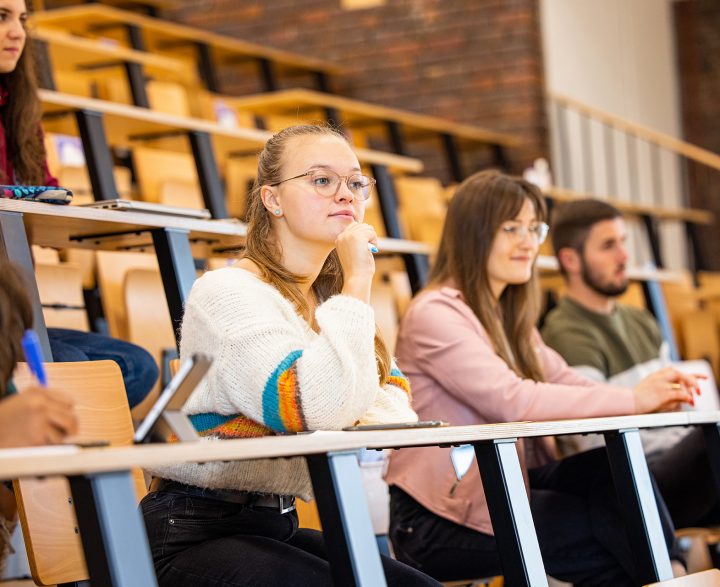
72	53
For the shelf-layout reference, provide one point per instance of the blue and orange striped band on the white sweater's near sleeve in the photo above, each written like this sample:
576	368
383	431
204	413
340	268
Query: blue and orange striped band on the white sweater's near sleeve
282	411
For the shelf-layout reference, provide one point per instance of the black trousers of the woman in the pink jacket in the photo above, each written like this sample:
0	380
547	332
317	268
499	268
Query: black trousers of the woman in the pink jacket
579	527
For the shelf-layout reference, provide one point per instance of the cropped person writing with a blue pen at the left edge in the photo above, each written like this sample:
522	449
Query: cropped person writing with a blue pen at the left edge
36	417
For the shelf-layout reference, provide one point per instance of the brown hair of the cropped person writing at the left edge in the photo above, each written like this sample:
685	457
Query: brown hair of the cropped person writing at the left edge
15	318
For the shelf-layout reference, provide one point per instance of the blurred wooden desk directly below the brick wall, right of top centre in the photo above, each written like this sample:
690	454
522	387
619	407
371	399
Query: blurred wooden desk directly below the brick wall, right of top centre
298	101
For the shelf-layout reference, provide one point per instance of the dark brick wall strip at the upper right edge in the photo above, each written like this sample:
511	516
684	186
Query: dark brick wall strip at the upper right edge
697	23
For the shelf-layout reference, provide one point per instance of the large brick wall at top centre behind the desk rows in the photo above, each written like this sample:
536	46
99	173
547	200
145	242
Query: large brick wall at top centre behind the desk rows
476	61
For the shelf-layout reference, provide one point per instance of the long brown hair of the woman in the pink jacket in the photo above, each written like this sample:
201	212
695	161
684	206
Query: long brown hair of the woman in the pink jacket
475	213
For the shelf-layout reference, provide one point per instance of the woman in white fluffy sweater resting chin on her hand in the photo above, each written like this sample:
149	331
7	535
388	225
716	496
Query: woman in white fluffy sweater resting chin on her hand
296	348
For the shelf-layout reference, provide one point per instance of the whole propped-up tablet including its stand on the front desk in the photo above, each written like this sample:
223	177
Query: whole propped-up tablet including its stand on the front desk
165	417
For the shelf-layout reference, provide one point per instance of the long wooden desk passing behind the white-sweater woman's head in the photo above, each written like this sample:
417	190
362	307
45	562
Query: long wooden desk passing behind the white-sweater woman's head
126	125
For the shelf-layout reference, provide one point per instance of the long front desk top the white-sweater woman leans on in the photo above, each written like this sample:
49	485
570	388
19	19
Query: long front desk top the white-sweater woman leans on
64	460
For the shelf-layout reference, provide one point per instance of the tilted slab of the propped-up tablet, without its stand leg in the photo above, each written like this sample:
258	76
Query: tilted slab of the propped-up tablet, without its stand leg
174	396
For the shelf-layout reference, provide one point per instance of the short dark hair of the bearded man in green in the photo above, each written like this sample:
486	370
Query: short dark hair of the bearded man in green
572	221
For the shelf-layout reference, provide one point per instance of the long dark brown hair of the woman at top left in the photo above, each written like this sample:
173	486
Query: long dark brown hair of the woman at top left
21	121
